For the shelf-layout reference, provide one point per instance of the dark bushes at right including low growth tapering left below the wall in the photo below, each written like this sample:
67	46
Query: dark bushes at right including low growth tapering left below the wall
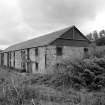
87	73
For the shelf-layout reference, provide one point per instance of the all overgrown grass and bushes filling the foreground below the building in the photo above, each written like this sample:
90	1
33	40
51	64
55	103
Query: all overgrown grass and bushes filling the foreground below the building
71	82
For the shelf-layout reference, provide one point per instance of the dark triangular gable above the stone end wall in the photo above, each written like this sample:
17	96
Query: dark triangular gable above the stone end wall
72	37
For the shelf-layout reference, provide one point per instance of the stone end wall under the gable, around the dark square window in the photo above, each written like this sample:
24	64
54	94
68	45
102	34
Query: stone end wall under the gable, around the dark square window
67	53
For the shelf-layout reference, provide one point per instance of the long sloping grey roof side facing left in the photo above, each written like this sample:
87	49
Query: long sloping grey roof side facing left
39	41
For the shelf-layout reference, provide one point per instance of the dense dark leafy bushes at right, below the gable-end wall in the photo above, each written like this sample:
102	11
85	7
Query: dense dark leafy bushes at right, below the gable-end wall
87	73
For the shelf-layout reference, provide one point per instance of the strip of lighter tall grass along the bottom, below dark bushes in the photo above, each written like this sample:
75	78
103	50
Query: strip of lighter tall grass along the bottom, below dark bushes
26	95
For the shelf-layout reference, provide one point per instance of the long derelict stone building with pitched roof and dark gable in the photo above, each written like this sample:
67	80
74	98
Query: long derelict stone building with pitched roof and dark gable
39	54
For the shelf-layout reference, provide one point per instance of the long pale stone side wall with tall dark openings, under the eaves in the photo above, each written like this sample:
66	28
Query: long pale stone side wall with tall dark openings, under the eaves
19	60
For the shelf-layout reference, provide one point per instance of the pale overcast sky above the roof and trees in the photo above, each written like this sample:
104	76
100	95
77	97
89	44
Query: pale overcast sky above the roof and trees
24	19
